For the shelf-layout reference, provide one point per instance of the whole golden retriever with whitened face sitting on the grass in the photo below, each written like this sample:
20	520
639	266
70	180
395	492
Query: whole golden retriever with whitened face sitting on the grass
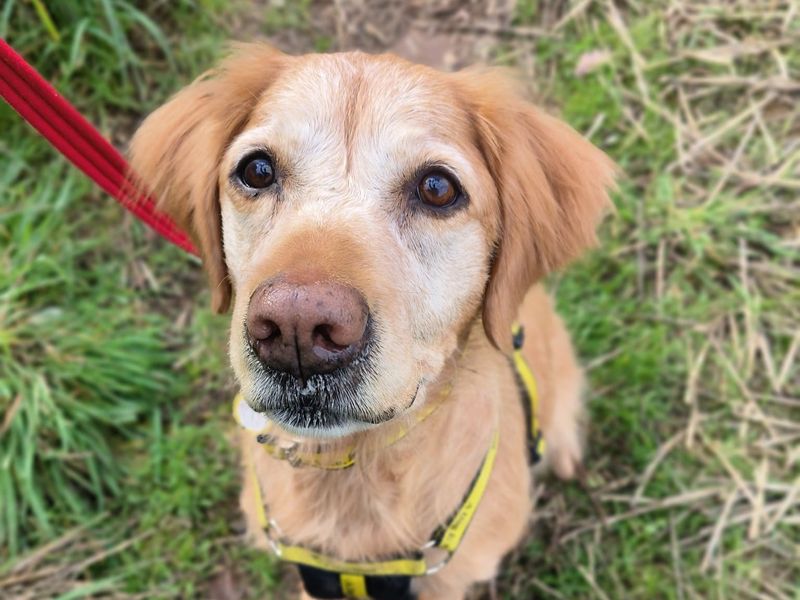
377	228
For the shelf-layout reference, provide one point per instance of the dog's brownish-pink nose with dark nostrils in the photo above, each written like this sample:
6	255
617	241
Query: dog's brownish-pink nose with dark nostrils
306	328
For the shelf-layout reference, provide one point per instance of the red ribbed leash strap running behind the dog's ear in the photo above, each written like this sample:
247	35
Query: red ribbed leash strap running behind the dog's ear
63	126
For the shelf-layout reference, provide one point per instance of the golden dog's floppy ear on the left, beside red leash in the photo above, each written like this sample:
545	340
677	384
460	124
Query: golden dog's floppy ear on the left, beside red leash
176	152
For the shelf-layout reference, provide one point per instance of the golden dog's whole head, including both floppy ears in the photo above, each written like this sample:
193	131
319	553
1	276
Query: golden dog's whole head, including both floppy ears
363	212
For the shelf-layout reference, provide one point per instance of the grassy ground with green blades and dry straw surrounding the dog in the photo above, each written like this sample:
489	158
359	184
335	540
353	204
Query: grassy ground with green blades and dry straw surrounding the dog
118	476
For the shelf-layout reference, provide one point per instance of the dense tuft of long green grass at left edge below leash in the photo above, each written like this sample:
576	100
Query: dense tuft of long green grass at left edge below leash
80	365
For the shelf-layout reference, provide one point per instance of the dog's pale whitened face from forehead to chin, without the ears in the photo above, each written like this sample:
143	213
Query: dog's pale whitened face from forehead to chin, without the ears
374	201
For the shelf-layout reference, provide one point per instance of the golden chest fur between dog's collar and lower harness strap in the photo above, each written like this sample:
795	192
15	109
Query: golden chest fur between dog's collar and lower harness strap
384	507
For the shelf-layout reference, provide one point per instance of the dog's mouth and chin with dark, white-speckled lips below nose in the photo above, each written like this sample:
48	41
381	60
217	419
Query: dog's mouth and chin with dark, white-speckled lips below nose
321	405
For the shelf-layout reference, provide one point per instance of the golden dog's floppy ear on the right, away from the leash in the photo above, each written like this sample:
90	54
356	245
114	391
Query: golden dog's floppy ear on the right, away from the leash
553	190
